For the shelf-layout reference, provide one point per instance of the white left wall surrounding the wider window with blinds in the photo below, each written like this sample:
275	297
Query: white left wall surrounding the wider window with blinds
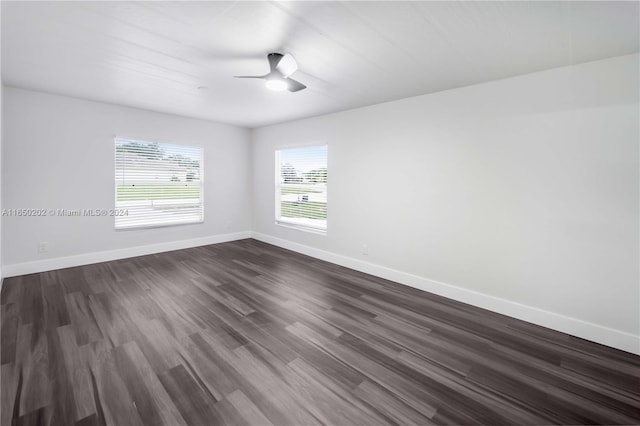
59	153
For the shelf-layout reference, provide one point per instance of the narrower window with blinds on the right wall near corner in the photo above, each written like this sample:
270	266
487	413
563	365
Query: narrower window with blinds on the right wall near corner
301	188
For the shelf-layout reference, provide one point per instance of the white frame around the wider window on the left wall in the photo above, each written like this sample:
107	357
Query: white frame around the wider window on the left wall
157	225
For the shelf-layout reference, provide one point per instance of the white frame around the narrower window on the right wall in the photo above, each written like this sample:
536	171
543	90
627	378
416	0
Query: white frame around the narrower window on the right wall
286	222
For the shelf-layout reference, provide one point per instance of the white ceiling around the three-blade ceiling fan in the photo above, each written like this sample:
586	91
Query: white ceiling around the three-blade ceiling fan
155	55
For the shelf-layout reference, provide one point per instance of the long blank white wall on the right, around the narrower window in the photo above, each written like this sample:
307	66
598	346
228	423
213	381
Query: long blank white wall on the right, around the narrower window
522	194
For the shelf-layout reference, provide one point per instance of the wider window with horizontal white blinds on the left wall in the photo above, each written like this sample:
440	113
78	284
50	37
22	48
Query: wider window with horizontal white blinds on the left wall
157	184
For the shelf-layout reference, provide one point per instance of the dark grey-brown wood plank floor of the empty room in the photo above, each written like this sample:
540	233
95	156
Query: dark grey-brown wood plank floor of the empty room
247	333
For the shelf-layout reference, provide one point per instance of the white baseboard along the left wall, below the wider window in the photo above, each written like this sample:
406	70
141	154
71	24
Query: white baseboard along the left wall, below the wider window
105	256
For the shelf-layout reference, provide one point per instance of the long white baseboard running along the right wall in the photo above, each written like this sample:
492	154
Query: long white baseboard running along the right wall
596	333
